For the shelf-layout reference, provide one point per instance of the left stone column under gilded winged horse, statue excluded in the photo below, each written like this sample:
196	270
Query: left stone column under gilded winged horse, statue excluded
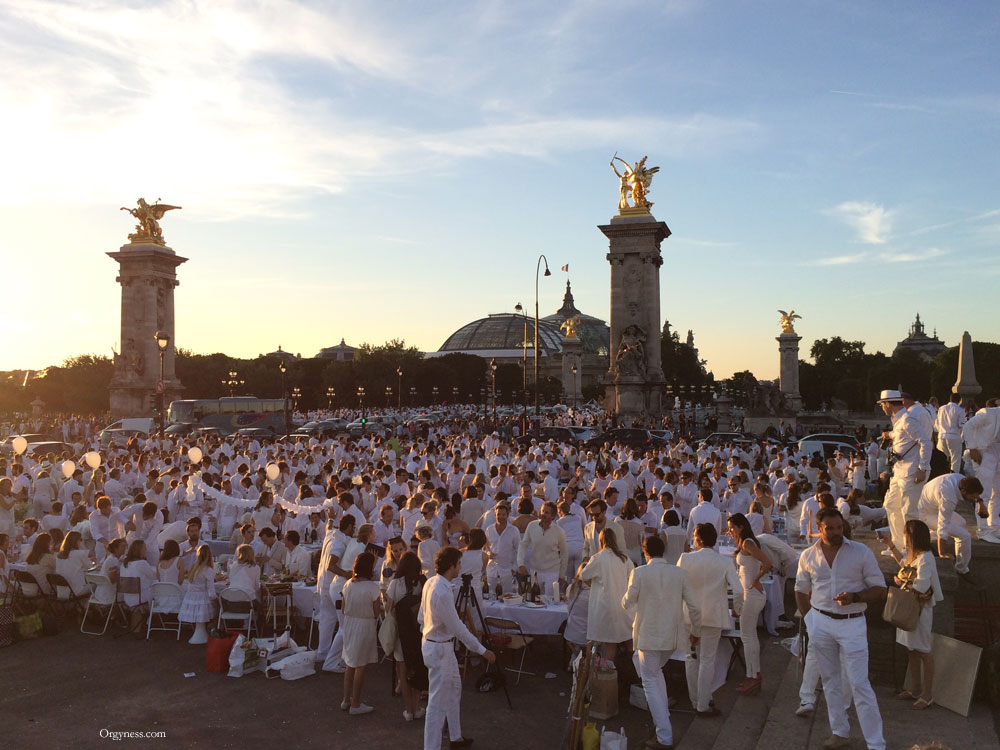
147	273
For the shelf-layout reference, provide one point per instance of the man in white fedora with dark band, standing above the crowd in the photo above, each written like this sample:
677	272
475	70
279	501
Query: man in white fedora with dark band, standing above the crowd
911	460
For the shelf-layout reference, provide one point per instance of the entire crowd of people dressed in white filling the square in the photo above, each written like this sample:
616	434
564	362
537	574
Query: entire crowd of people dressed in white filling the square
630	537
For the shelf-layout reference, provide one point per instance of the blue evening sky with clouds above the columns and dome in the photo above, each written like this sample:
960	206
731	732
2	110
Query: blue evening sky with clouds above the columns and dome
371	171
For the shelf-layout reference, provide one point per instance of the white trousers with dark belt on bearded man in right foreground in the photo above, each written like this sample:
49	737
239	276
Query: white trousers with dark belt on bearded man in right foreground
843	645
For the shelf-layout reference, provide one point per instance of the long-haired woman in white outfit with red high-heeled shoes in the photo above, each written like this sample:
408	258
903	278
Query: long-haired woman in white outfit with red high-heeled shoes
753	564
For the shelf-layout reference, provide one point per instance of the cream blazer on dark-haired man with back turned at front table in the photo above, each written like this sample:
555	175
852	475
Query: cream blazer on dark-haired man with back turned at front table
654	597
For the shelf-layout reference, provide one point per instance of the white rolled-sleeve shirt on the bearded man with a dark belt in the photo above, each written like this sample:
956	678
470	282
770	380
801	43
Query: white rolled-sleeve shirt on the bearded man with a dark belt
854	569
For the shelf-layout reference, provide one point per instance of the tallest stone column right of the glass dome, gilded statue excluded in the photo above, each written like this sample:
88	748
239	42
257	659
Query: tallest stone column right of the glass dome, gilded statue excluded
635	383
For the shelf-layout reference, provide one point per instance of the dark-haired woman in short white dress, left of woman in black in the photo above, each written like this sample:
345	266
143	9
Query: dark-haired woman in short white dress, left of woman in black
362	605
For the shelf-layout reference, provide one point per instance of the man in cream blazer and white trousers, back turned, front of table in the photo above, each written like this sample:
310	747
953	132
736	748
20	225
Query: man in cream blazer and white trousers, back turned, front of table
655	594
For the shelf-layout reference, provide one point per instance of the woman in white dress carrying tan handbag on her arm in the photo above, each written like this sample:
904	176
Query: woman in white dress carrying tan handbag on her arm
926	583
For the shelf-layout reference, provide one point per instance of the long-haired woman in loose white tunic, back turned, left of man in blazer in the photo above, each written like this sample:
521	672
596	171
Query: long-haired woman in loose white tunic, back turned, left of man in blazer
608	572
